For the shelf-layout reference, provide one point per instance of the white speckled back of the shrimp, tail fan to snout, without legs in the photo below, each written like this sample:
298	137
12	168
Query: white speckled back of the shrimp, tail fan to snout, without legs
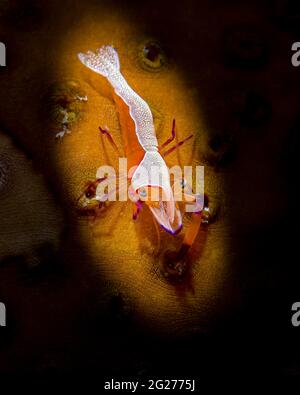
106	62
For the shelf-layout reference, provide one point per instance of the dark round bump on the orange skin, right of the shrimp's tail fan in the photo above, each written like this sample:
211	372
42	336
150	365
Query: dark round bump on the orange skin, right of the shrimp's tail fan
152	56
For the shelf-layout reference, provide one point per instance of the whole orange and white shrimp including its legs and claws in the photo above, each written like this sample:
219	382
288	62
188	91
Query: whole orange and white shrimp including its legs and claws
142	149
